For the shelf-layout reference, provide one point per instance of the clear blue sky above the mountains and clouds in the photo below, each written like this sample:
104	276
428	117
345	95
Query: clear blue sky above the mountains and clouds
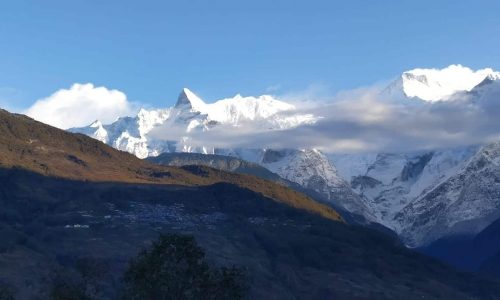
151	49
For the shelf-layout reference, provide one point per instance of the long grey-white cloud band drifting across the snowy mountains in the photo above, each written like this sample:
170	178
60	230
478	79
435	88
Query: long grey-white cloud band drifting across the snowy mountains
366	120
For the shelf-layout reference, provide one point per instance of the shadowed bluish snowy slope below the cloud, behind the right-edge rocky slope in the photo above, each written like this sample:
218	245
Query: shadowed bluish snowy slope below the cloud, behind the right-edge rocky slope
392	181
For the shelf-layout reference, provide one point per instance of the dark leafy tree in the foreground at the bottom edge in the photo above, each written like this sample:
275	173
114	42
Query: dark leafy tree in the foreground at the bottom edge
174	267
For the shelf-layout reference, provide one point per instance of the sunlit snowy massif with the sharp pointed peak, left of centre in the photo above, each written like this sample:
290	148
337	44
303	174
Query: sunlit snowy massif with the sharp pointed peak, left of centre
189	114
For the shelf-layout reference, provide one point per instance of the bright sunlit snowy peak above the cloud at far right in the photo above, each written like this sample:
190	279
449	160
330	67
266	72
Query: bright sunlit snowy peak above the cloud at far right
439	84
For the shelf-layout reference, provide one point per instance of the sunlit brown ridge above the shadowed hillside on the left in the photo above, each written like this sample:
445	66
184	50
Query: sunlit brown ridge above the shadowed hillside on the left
37	147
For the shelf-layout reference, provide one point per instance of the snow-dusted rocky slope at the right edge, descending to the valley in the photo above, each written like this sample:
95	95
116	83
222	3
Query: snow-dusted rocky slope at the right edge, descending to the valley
464	203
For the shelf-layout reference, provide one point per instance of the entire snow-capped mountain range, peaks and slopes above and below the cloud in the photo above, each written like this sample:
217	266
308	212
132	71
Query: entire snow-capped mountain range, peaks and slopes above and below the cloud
419	195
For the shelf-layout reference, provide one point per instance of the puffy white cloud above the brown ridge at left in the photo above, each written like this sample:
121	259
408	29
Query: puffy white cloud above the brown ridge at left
80	105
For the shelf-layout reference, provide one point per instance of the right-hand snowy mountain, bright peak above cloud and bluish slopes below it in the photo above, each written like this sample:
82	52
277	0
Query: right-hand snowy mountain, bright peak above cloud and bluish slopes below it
429	194
